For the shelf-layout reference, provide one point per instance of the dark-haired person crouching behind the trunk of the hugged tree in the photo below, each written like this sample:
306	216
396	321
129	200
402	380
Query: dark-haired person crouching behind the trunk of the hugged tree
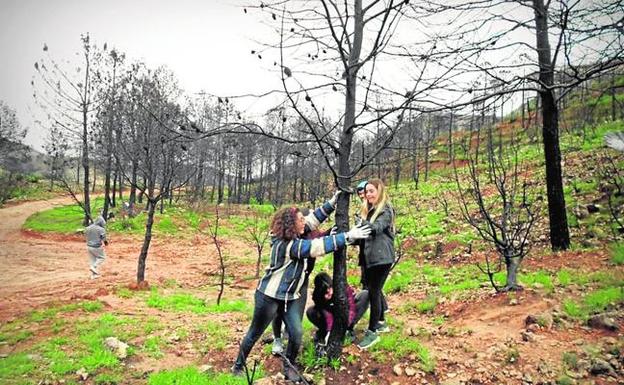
322	313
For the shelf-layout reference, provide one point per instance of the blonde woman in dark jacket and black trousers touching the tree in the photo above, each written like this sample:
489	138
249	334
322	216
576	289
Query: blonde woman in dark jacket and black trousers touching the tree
378	254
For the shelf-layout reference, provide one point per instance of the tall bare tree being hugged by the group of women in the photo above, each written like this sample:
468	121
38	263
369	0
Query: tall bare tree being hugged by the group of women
335	37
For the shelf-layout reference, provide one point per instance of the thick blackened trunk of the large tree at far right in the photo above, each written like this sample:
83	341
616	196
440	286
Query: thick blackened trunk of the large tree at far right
559	233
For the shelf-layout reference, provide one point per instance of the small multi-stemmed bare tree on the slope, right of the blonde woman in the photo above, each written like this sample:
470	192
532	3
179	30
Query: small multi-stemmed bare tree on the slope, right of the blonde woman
495	199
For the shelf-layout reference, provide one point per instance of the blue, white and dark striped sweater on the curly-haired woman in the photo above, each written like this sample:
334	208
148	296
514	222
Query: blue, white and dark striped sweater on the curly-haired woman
285	276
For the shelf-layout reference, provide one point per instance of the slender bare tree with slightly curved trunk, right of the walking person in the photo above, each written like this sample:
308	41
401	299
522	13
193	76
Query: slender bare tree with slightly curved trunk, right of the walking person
154	146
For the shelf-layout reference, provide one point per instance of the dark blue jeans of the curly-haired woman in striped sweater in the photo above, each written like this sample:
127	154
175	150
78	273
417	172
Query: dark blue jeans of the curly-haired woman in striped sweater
265	310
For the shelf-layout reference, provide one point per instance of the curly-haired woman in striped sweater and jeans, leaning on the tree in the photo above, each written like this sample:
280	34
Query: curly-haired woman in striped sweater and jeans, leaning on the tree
280	288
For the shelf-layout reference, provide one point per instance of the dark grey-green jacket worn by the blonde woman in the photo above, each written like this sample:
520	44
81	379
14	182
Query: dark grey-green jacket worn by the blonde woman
379	246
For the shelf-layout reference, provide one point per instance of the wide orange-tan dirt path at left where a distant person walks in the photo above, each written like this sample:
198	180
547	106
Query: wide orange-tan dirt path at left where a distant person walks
41	268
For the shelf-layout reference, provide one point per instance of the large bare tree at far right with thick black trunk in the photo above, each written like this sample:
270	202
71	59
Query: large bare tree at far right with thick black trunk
574	42
